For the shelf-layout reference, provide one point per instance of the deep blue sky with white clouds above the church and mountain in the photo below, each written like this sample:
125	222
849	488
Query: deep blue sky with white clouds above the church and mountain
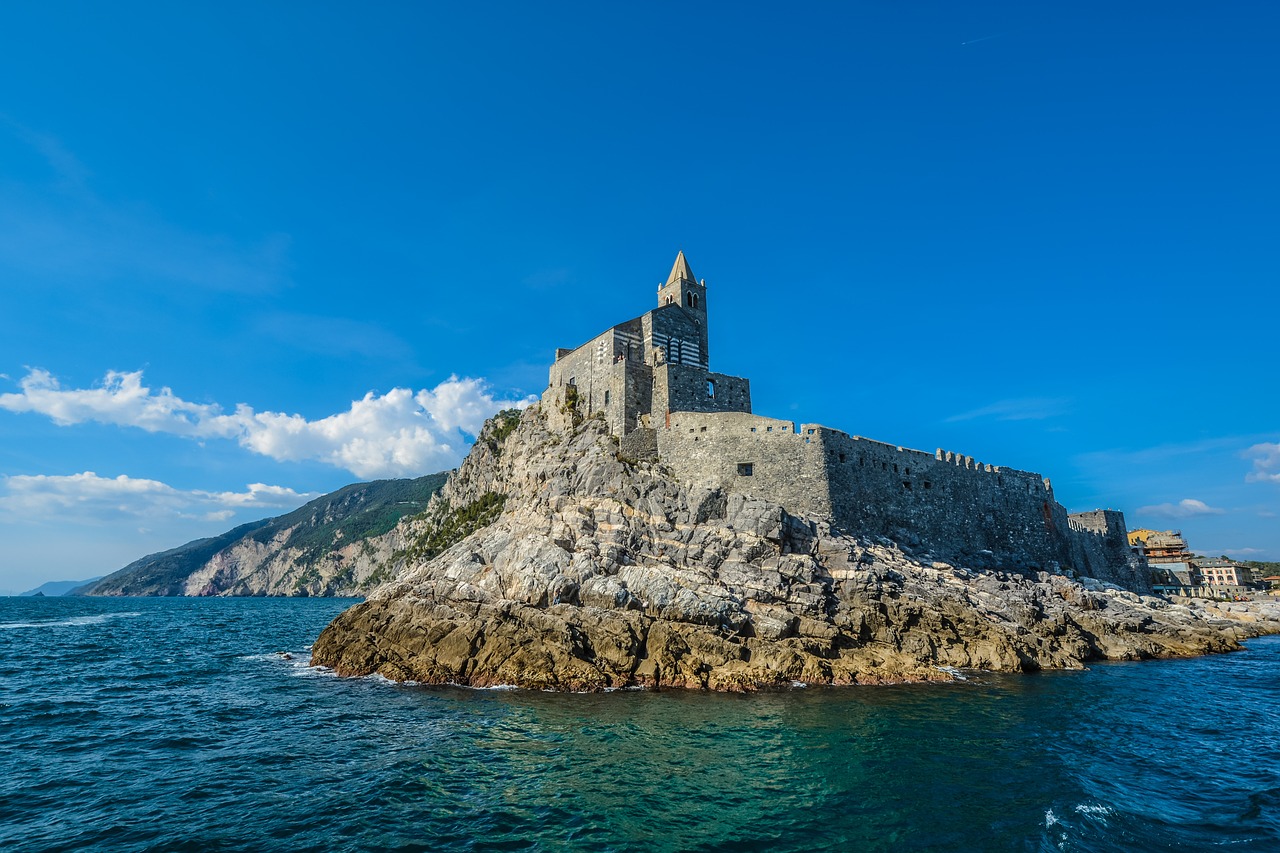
252	253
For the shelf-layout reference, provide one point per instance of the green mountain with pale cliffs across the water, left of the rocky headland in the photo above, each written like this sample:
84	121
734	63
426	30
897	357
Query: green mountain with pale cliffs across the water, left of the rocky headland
339	545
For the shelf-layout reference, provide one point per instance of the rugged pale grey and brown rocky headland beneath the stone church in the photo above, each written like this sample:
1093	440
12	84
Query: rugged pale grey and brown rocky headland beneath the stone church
552	562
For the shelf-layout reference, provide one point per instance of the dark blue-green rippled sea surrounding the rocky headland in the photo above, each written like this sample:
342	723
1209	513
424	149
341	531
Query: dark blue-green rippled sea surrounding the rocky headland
198	724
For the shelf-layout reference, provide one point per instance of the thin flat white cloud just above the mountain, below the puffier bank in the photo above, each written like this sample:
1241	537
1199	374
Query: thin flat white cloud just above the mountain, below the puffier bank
89	498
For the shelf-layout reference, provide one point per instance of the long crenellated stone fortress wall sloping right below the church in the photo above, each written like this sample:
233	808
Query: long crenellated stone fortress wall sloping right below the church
948	503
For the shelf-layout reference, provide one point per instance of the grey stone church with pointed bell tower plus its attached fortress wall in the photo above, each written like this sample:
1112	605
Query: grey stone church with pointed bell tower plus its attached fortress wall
651	380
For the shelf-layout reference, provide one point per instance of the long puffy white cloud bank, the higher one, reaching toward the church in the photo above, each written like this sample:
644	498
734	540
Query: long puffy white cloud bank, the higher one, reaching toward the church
400	434
